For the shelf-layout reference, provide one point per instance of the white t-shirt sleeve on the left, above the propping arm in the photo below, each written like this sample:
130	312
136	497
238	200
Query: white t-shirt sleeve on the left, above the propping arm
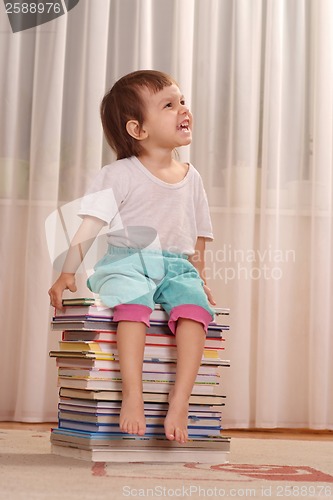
105	195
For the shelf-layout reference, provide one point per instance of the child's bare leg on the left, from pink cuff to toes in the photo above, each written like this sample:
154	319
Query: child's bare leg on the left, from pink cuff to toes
130	343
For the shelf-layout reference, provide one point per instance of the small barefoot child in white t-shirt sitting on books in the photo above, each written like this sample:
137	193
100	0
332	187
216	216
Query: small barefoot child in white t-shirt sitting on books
158	216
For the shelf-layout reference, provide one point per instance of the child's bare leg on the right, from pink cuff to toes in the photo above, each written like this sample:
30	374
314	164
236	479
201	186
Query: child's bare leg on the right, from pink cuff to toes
190	339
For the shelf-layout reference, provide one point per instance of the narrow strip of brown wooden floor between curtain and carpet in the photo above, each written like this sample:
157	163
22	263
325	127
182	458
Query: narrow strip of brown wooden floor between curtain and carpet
300	434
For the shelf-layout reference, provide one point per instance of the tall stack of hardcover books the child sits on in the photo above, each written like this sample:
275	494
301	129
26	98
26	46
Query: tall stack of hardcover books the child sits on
90	390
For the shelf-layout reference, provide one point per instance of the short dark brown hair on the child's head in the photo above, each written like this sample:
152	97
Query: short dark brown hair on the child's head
124	102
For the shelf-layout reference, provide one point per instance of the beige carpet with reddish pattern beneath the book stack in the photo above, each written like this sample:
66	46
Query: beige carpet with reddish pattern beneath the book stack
258	468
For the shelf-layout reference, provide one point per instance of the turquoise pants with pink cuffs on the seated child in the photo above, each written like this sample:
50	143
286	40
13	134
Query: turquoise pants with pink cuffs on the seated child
142	278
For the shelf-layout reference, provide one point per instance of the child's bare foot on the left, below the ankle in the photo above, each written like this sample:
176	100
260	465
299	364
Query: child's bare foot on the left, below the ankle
132	417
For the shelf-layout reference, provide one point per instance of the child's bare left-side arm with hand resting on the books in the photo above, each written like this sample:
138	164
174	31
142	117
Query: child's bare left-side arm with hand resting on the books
82	241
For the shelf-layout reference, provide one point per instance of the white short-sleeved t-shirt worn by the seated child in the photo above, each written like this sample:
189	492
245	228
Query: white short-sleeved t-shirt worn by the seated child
145	212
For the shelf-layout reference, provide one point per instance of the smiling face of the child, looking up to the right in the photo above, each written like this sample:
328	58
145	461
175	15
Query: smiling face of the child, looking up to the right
168	121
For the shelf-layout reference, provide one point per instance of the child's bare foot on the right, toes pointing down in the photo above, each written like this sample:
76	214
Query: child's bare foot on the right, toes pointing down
175	424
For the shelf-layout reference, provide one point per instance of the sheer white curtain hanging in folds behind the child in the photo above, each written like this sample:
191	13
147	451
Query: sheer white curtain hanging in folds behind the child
258	75
